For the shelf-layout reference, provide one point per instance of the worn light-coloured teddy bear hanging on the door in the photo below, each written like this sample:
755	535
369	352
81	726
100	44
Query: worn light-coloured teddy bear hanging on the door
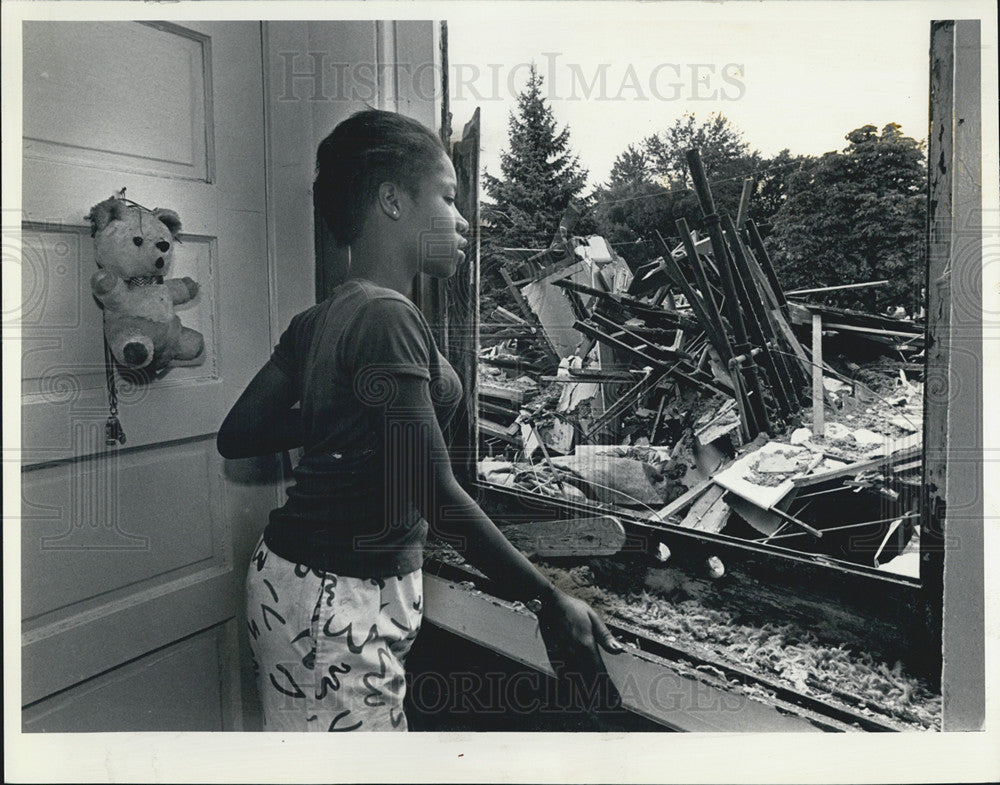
133	249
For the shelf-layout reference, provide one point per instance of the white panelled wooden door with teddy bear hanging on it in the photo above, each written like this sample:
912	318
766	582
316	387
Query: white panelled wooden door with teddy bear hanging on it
133	557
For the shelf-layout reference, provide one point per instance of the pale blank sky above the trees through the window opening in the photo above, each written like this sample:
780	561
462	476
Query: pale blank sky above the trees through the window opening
799	78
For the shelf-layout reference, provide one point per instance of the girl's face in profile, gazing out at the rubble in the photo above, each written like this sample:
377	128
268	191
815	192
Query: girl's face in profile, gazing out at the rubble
434	223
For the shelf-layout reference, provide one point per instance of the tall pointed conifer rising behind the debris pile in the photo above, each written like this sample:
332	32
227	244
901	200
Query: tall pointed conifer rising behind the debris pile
540	176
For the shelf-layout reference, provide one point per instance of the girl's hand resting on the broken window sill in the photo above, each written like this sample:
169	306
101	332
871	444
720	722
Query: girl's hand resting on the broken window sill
573	634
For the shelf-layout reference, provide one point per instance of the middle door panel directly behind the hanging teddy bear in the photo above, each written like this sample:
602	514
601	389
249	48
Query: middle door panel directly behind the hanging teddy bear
63	376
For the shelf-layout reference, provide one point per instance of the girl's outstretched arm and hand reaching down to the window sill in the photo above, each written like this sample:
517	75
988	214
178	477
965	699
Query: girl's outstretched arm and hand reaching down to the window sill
570	628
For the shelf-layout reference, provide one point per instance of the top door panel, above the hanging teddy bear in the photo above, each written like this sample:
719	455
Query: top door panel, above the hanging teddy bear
157	89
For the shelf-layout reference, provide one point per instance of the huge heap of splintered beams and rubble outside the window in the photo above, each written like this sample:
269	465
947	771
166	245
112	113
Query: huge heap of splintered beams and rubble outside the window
686	391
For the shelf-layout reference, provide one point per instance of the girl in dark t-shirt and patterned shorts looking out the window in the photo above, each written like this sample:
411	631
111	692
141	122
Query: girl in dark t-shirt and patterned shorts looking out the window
334	589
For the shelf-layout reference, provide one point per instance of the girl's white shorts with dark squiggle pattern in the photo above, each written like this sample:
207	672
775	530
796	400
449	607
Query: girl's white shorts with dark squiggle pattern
328	650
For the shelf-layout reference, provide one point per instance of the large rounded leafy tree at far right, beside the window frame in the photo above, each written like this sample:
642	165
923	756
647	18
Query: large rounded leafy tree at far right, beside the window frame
857	215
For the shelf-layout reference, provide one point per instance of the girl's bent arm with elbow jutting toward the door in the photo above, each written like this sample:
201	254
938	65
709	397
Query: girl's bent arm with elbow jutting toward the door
262	420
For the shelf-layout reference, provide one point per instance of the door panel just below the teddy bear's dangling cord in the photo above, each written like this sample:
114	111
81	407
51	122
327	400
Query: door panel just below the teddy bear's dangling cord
87	560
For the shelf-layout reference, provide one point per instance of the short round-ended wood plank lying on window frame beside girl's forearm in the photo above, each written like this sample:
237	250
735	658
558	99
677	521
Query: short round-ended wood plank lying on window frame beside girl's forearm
601	535
